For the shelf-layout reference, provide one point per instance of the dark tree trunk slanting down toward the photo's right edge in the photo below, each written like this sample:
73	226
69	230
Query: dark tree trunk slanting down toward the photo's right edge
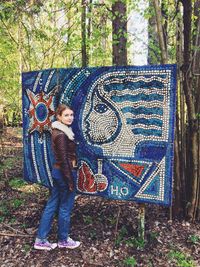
192	159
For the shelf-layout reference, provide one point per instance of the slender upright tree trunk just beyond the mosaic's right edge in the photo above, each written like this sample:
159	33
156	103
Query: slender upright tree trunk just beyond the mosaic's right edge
179	162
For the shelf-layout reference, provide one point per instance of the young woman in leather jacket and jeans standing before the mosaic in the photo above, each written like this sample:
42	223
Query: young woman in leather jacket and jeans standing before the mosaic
62	195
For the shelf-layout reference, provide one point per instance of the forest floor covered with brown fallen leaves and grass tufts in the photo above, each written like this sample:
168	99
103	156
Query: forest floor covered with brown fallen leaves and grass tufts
107	229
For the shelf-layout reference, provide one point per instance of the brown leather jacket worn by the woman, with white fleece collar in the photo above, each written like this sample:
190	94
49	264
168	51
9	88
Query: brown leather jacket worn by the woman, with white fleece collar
64	151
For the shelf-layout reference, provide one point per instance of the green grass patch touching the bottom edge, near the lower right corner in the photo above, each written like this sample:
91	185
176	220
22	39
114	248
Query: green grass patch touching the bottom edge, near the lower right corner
180	259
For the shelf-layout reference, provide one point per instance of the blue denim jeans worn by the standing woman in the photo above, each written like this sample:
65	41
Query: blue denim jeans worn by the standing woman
61	200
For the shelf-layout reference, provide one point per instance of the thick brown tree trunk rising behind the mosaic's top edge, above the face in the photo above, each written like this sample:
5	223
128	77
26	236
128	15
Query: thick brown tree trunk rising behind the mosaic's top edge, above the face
119	33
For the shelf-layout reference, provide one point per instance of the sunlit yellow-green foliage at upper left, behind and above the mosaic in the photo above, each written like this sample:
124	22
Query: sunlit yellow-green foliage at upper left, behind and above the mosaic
47	34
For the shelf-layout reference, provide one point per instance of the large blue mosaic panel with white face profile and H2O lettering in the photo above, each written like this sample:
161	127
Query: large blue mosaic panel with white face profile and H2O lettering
124	123
